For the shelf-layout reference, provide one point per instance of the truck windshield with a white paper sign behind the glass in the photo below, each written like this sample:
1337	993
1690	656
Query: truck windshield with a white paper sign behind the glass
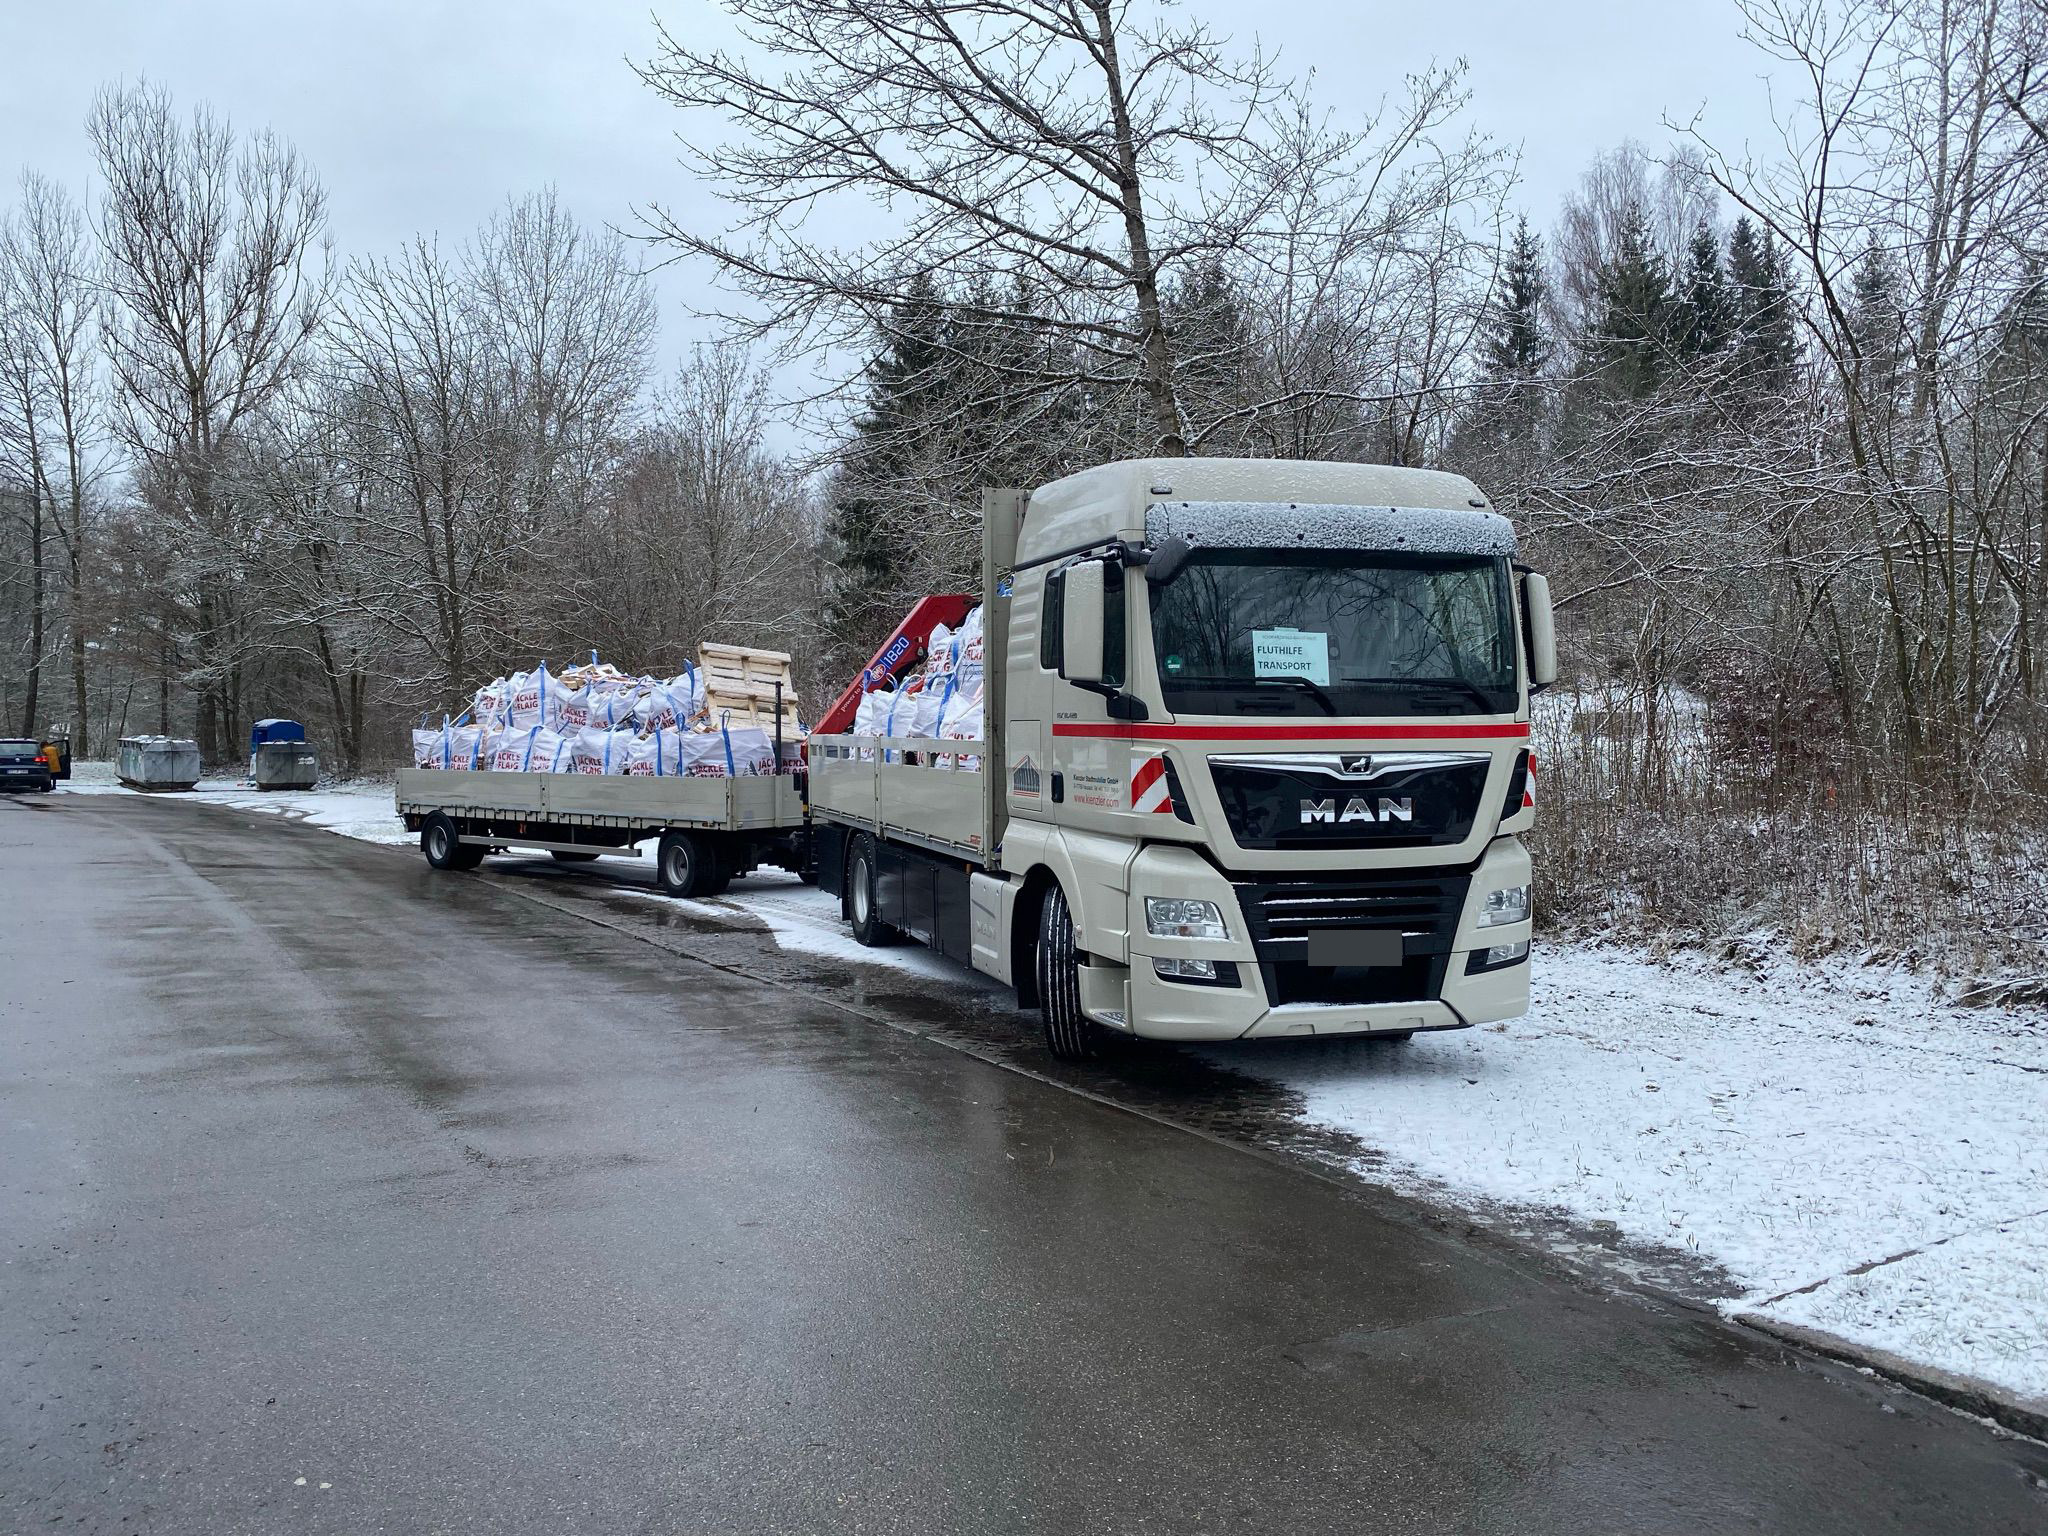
1316	632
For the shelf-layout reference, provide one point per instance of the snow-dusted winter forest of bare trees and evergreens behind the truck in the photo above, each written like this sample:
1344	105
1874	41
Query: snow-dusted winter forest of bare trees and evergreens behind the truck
1775	423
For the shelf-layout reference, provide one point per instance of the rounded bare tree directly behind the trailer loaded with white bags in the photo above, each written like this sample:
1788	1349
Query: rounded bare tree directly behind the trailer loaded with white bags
484	398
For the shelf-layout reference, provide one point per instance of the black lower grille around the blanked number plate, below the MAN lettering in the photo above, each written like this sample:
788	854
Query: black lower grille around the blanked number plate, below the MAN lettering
1424	910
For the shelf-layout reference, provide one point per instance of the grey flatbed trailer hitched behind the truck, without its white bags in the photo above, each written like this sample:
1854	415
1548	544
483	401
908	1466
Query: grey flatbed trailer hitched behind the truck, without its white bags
710	828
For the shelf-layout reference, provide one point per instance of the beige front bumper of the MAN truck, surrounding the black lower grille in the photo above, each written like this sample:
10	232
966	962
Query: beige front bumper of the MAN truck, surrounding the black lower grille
1279	994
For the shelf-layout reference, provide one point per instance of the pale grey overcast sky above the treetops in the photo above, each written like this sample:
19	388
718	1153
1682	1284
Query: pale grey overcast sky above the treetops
425	116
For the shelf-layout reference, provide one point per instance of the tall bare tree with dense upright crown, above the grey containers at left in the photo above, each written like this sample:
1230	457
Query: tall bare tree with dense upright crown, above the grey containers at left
216	282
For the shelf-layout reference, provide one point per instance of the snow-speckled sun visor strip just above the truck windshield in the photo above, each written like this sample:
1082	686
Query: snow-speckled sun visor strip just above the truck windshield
1310	525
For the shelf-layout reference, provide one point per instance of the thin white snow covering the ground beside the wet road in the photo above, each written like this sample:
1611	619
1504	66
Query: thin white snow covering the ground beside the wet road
1850	1150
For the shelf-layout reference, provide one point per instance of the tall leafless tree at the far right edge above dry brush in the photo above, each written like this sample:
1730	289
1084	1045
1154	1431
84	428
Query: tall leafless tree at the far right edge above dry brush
1908	159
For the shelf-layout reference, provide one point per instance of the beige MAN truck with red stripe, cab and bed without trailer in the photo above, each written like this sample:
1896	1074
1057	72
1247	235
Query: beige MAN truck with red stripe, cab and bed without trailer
1256	761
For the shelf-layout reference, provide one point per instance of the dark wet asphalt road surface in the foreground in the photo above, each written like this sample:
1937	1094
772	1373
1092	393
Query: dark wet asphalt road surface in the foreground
347	1197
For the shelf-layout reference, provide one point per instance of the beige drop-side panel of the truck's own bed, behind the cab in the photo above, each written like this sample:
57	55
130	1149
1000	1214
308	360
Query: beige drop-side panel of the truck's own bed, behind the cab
904	787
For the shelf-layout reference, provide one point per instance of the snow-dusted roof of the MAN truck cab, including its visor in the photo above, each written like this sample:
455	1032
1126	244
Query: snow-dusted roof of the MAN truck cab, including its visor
1234	503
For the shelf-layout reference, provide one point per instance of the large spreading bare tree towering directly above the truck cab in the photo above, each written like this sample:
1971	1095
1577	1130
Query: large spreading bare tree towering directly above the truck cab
1086	151
